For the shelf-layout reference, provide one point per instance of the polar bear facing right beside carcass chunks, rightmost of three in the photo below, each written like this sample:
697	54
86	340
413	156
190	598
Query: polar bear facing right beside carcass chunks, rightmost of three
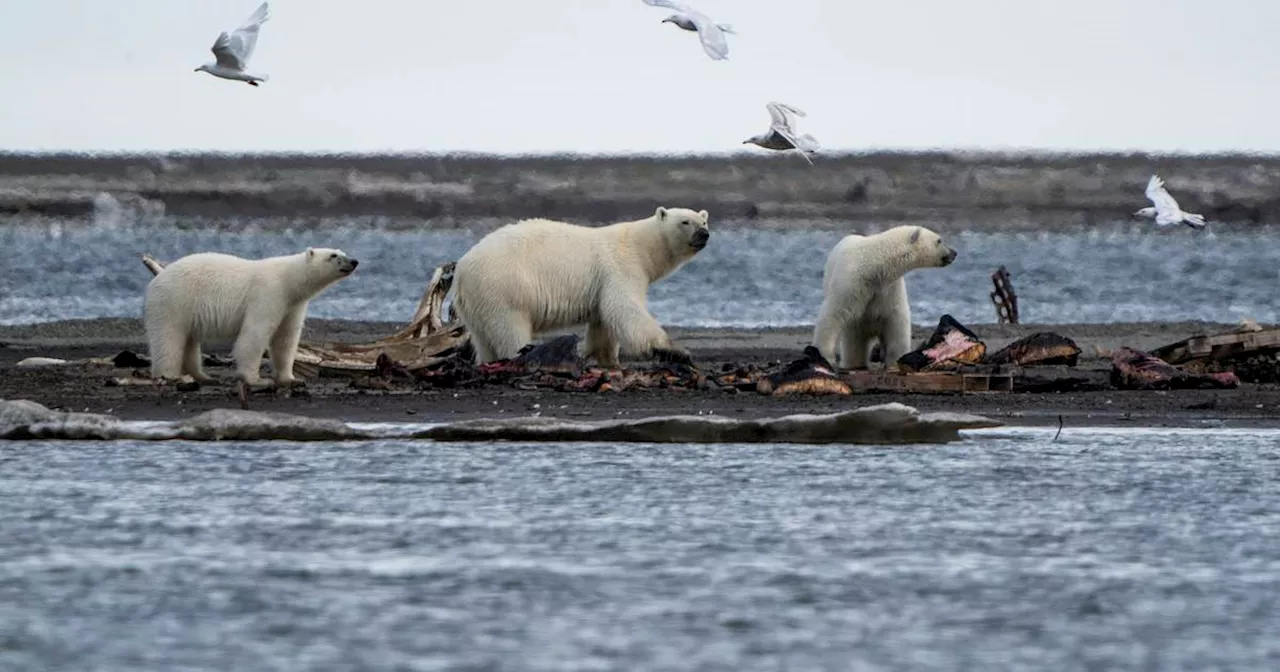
865	295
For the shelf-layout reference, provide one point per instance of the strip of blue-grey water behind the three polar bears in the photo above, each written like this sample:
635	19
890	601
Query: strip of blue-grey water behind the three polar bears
746	278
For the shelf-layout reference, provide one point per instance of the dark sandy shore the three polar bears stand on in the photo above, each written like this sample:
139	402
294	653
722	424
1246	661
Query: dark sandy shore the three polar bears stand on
84	388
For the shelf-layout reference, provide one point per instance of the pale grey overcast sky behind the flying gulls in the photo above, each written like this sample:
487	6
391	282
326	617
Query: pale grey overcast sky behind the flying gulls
606	76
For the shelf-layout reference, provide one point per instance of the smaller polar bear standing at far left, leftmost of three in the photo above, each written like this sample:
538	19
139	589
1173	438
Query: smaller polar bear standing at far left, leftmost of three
258	303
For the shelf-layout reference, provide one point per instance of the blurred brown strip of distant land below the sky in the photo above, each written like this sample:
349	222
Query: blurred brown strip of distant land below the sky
947	190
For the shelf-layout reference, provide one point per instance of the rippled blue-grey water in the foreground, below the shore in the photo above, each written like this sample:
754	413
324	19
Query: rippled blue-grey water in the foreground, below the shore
1107	550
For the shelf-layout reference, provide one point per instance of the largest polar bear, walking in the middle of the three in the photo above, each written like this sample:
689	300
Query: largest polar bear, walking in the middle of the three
540	276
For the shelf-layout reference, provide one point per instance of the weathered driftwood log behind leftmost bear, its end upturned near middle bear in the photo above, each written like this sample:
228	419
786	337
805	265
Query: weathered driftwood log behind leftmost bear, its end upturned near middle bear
429	340
